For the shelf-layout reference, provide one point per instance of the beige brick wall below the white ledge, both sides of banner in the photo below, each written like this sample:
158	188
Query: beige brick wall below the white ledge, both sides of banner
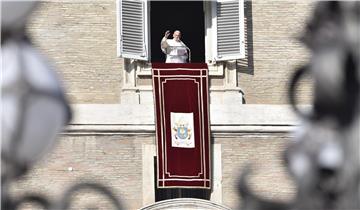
116	160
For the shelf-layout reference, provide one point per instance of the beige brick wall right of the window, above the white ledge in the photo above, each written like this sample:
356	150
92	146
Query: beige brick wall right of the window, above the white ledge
273	51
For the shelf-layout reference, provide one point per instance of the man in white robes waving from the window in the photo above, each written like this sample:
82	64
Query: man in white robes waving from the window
175	49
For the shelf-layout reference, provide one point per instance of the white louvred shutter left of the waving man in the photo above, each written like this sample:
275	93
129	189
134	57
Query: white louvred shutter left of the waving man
133	29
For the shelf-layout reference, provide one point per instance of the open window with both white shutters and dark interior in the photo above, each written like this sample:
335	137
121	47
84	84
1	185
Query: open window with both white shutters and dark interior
213	30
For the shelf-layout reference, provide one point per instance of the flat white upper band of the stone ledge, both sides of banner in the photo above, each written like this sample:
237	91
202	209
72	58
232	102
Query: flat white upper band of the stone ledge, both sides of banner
220	114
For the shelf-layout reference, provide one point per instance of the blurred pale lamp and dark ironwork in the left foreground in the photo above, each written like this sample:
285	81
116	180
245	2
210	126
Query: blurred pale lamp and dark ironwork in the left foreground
34	110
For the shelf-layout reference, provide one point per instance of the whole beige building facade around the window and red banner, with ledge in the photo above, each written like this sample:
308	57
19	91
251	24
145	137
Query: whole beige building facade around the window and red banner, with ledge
112	136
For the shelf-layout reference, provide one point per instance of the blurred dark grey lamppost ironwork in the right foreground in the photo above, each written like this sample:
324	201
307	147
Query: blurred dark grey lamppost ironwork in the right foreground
324	158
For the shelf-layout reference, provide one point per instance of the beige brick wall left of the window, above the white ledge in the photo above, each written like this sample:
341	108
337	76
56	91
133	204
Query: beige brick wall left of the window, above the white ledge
80	38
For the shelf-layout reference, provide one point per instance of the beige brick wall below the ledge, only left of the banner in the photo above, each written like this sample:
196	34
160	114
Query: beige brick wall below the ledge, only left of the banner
113	160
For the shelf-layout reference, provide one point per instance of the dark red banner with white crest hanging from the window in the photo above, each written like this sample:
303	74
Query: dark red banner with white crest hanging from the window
182	125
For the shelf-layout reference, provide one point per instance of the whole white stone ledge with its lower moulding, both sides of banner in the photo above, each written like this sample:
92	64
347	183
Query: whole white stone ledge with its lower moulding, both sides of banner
225	120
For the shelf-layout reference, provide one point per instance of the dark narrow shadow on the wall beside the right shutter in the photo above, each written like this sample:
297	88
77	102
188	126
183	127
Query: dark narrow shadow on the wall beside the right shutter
246	65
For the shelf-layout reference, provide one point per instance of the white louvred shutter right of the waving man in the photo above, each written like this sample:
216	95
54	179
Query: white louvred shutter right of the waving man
229	33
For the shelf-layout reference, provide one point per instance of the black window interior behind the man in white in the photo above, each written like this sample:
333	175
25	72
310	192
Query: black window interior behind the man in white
186	16
